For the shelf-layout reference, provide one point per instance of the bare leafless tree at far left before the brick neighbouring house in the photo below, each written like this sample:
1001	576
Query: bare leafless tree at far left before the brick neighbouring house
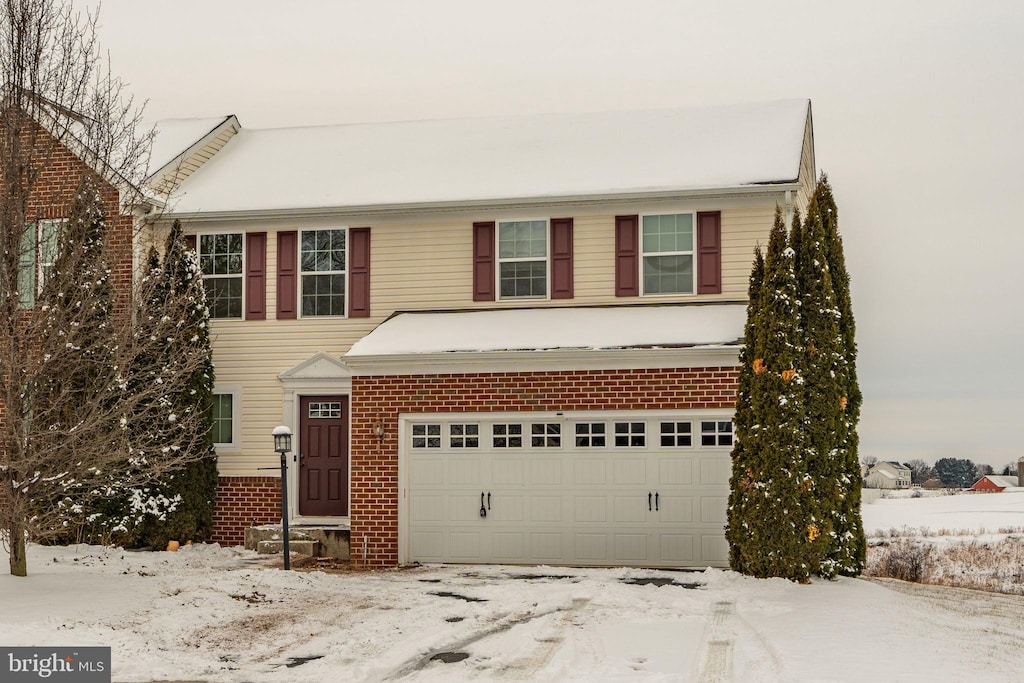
77	325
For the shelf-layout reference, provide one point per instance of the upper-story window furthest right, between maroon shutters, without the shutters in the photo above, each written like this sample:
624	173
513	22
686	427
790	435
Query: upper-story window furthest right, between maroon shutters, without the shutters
667	251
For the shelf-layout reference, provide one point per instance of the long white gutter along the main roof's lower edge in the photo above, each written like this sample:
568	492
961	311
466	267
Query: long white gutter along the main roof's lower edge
491	204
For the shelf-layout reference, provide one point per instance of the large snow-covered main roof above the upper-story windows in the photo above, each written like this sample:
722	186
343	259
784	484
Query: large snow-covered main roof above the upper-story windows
501	158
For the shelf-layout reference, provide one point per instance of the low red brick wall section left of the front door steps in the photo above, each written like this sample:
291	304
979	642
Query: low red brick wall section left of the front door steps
244	502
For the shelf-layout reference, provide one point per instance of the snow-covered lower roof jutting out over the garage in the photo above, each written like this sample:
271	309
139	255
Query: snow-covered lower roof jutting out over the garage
556	328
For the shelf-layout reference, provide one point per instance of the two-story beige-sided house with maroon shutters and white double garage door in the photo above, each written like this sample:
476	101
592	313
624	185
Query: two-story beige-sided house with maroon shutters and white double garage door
506	339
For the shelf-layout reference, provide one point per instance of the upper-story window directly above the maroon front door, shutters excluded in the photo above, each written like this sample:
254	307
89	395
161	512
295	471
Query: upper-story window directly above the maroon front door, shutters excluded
323	265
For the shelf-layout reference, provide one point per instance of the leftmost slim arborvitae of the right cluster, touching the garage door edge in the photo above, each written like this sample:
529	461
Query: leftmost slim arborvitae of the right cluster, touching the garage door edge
739	531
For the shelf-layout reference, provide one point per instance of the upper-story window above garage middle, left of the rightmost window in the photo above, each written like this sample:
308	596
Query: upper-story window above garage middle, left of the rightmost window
523	260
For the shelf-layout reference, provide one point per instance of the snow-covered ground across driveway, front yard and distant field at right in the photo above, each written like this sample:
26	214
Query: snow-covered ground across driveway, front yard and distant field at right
210	614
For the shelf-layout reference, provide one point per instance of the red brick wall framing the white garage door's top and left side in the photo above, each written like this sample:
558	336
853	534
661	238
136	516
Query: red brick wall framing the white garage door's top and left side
375	465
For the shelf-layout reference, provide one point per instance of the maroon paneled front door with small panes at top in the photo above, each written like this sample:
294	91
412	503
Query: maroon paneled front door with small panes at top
324	456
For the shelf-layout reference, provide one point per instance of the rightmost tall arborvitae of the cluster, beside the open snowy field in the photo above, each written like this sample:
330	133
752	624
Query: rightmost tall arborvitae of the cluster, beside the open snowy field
848	525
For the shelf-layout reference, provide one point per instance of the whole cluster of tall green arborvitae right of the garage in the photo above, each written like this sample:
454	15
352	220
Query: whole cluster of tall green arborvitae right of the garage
795	502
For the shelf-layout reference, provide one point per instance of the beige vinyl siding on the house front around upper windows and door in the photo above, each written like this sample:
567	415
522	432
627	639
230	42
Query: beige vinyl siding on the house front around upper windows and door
426	265
